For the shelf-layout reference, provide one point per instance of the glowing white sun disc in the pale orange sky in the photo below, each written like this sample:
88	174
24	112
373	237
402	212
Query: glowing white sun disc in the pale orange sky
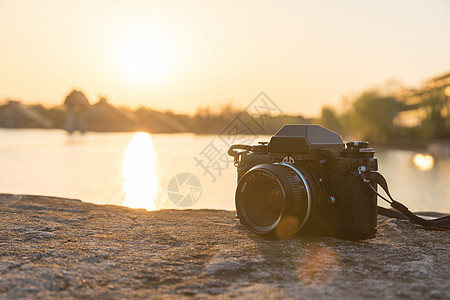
144	57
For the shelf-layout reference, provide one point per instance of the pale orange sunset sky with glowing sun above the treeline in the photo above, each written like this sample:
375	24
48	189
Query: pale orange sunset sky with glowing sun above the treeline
180	55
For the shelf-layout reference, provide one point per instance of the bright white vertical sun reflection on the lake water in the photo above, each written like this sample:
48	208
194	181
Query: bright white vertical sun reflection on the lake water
141	184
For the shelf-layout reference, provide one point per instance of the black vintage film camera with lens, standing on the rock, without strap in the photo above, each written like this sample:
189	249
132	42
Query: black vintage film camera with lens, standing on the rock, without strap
306	180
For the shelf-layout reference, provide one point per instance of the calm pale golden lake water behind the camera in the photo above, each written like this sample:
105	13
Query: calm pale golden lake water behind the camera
143	170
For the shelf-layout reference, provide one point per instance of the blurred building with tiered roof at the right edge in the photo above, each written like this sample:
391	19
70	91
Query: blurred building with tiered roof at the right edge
427	107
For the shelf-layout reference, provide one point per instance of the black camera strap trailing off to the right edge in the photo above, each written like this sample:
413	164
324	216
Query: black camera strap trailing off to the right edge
442	223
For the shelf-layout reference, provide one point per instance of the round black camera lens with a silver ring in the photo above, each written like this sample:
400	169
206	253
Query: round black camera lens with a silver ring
270	194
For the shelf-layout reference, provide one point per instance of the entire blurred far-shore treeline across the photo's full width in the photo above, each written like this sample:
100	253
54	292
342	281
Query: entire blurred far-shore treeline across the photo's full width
371	115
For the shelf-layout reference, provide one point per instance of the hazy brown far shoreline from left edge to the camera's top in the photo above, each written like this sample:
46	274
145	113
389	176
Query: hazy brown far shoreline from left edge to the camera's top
77	113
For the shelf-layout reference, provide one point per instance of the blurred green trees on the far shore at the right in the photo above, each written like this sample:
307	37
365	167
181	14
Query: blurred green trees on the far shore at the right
376	116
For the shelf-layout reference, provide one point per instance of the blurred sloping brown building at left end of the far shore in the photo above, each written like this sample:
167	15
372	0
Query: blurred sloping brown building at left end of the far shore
16	115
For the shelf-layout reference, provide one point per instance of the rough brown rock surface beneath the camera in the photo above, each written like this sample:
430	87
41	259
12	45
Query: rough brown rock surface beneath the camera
59	248
